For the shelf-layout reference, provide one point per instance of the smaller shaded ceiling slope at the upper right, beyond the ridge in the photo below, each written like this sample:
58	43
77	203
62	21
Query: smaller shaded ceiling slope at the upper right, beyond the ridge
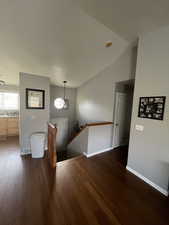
129	18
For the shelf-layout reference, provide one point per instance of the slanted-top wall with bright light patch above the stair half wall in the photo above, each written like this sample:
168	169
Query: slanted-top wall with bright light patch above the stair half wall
95	99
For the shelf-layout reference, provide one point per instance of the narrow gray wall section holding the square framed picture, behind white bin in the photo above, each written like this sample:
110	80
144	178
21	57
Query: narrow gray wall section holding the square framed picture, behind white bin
32	120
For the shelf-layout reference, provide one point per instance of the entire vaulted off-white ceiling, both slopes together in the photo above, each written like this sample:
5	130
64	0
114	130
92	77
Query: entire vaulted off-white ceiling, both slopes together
65	39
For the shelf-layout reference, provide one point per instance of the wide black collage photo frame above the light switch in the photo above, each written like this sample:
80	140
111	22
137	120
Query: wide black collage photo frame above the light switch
152	107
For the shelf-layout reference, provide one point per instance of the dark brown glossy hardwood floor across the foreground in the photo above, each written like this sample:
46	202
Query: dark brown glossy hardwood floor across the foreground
94	191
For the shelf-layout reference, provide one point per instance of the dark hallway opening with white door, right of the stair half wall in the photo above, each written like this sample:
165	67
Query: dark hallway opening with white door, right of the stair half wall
122	116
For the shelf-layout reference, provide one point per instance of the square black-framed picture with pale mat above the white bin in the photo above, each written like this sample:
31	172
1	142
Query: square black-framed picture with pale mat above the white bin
37	94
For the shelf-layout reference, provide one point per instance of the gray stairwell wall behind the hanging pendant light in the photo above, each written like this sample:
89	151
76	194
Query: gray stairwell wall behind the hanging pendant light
69	113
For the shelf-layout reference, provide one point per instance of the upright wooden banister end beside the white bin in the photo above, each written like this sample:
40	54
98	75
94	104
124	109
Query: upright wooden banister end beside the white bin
52	131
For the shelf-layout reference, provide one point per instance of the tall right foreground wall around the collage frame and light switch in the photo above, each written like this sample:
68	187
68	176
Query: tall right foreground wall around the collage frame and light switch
149	150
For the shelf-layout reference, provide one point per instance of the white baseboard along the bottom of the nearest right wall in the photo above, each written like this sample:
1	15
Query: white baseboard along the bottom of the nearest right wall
158	188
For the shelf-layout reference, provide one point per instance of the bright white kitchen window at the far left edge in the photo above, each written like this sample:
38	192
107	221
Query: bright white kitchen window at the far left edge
9	101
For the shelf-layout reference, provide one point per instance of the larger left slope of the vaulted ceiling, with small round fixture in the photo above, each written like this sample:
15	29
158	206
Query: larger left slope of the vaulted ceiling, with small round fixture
53	38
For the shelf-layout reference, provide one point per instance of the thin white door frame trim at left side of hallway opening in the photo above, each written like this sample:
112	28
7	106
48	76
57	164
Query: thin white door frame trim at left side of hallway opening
117	94
